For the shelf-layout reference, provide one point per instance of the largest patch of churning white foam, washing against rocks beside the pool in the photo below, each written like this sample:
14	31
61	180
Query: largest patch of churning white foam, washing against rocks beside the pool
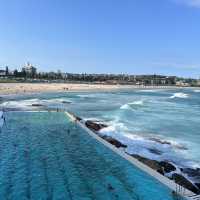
158	149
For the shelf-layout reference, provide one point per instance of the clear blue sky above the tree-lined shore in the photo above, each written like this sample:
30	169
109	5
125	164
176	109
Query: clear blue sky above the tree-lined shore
102	36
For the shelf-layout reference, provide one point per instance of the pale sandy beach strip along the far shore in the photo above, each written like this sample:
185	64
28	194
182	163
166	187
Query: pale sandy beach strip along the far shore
20	88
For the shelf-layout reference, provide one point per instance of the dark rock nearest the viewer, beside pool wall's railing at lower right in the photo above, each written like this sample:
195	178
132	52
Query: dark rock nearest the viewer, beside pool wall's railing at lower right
181	180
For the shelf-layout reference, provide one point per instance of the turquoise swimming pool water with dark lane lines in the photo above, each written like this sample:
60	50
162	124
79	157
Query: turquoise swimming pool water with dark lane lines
45	156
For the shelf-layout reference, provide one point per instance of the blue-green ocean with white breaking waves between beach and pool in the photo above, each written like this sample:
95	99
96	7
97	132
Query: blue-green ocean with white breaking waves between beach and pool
166	121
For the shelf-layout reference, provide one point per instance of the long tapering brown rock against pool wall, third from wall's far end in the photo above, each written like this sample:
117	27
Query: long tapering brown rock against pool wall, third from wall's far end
151	163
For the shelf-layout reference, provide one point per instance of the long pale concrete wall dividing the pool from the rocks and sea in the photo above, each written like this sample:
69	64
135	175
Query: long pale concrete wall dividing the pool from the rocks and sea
187	194
